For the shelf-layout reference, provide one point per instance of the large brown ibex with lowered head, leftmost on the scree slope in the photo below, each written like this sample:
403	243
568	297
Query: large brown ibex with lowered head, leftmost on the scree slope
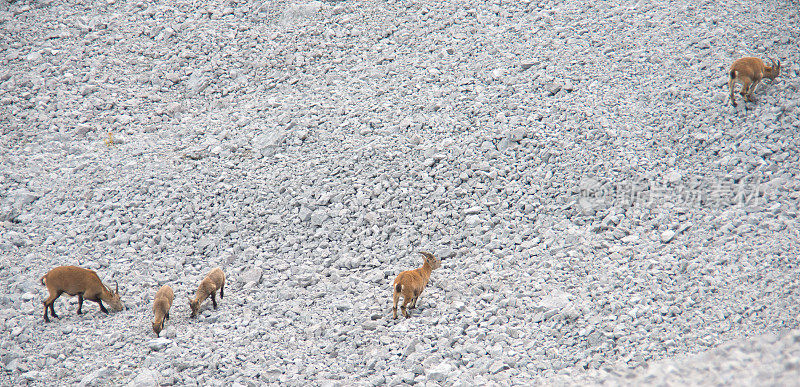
78	281
